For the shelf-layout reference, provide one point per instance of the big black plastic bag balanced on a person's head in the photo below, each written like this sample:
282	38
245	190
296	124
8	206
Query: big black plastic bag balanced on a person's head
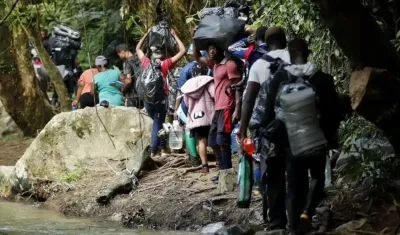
219	30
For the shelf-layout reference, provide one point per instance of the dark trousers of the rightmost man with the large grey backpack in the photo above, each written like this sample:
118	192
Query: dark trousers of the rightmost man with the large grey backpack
303	195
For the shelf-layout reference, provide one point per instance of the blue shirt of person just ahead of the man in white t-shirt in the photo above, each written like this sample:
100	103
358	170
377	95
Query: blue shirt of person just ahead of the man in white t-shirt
239	48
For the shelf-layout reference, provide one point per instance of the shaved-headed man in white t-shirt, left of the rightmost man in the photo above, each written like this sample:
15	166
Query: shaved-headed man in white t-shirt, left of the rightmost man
260	72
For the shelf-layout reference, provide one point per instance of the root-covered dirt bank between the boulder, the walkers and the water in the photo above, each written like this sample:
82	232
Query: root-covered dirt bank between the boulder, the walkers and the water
166	198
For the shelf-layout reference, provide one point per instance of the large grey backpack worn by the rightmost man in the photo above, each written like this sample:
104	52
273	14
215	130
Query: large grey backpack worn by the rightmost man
296	105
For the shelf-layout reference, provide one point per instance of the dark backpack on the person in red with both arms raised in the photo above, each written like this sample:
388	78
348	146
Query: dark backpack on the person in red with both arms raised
151	84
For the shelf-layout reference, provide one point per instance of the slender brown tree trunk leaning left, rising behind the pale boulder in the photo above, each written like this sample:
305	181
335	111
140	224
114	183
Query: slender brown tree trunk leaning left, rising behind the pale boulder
54	74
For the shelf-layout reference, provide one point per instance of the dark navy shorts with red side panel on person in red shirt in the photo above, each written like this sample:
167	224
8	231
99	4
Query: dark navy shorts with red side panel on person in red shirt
221	128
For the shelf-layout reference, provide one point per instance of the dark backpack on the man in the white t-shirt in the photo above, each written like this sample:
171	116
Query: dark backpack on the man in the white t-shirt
259	117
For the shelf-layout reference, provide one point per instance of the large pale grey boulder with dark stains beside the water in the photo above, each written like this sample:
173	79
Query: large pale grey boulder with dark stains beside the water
75	145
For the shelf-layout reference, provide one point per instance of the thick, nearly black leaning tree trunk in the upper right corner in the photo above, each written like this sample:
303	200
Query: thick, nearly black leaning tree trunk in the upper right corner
358	35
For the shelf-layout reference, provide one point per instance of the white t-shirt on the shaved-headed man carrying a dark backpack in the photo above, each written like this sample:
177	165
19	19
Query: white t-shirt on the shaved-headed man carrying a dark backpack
259	71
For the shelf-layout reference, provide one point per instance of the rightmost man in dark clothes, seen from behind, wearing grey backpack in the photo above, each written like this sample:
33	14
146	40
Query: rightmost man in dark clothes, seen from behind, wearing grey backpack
304	195
